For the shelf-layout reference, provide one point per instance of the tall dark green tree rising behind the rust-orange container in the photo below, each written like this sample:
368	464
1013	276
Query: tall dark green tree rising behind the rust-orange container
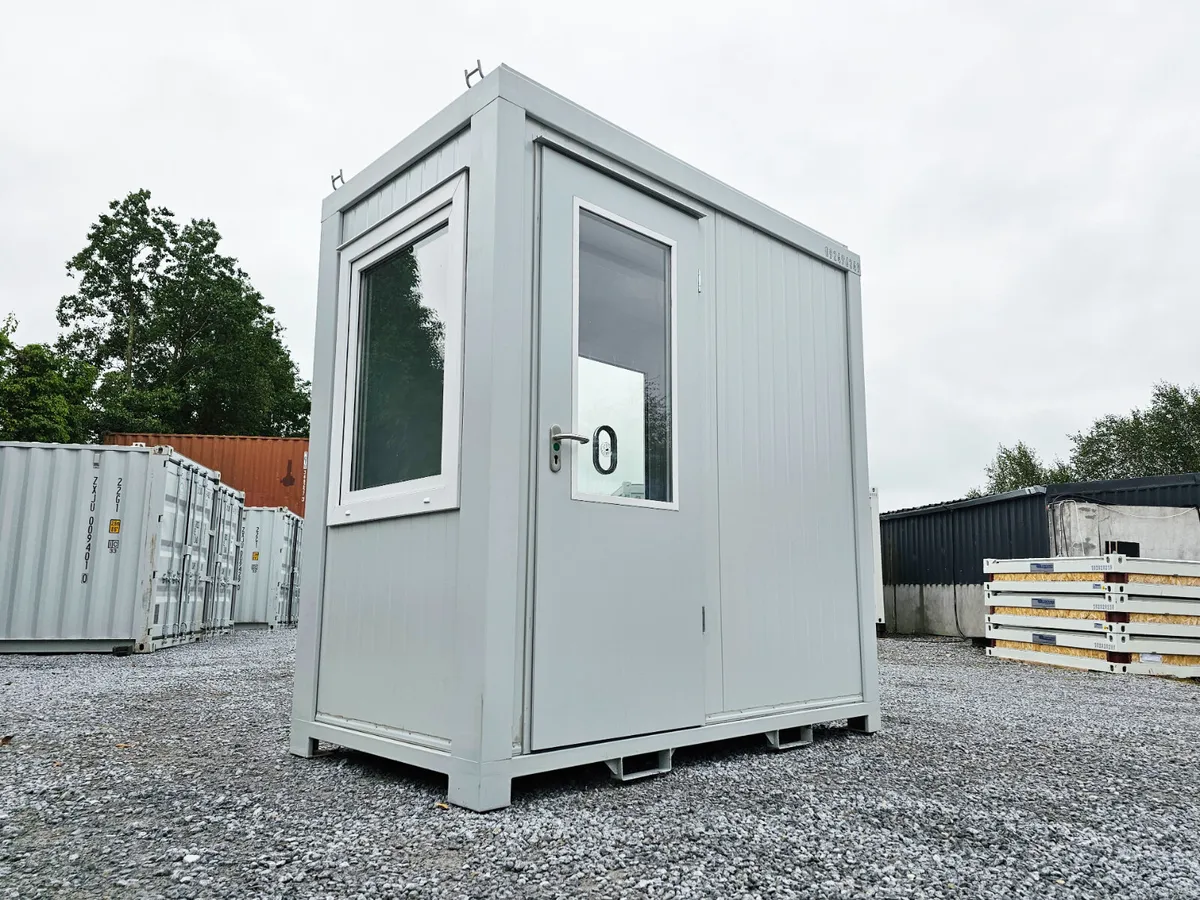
181	338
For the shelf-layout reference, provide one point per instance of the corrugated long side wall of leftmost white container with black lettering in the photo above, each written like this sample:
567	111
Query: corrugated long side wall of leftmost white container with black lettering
64	577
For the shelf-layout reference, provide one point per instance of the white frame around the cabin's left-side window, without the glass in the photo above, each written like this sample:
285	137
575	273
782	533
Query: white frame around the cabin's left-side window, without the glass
446	207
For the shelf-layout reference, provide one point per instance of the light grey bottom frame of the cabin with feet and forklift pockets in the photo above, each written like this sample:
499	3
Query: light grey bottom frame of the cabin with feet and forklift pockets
484	787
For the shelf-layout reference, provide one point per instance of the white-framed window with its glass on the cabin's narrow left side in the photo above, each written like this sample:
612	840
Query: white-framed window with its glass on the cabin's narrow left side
400	358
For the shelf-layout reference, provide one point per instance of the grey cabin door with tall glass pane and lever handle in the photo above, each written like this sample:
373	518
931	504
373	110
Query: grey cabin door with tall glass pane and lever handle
619	645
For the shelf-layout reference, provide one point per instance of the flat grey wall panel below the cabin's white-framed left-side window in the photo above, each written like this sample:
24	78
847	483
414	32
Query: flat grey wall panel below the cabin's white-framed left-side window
388	626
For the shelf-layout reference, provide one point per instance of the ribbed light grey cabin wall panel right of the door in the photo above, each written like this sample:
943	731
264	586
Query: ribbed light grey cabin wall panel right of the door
790	610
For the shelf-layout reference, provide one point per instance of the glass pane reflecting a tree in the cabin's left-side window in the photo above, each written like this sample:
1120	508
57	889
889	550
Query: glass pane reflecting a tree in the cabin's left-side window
401	367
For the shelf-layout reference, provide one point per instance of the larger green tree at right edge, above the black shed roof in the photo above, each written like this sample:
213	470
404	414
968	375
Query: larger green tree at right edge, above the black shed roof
1162	440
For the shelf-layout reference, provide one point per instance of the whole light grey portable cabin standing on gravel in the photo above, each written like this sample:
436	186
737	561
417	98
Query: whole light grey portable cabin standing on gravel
590	441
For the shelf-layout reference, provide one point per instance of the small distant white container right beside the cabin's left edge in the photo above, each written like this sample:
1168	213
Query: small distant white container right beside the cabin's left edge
271	572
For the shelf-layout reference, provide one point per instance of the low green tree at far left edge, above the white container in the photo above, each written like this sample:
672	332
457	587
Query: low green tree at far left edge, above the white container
44	395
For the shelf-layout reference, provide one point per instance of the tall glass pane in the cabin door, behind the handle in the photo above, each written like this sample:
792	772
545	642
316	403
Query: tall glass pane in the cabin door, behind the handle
623	398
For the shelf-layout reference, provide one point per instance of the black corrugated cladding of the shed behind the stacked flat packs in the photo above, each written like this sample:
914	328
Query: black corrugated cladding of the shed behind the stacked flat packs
947	543
